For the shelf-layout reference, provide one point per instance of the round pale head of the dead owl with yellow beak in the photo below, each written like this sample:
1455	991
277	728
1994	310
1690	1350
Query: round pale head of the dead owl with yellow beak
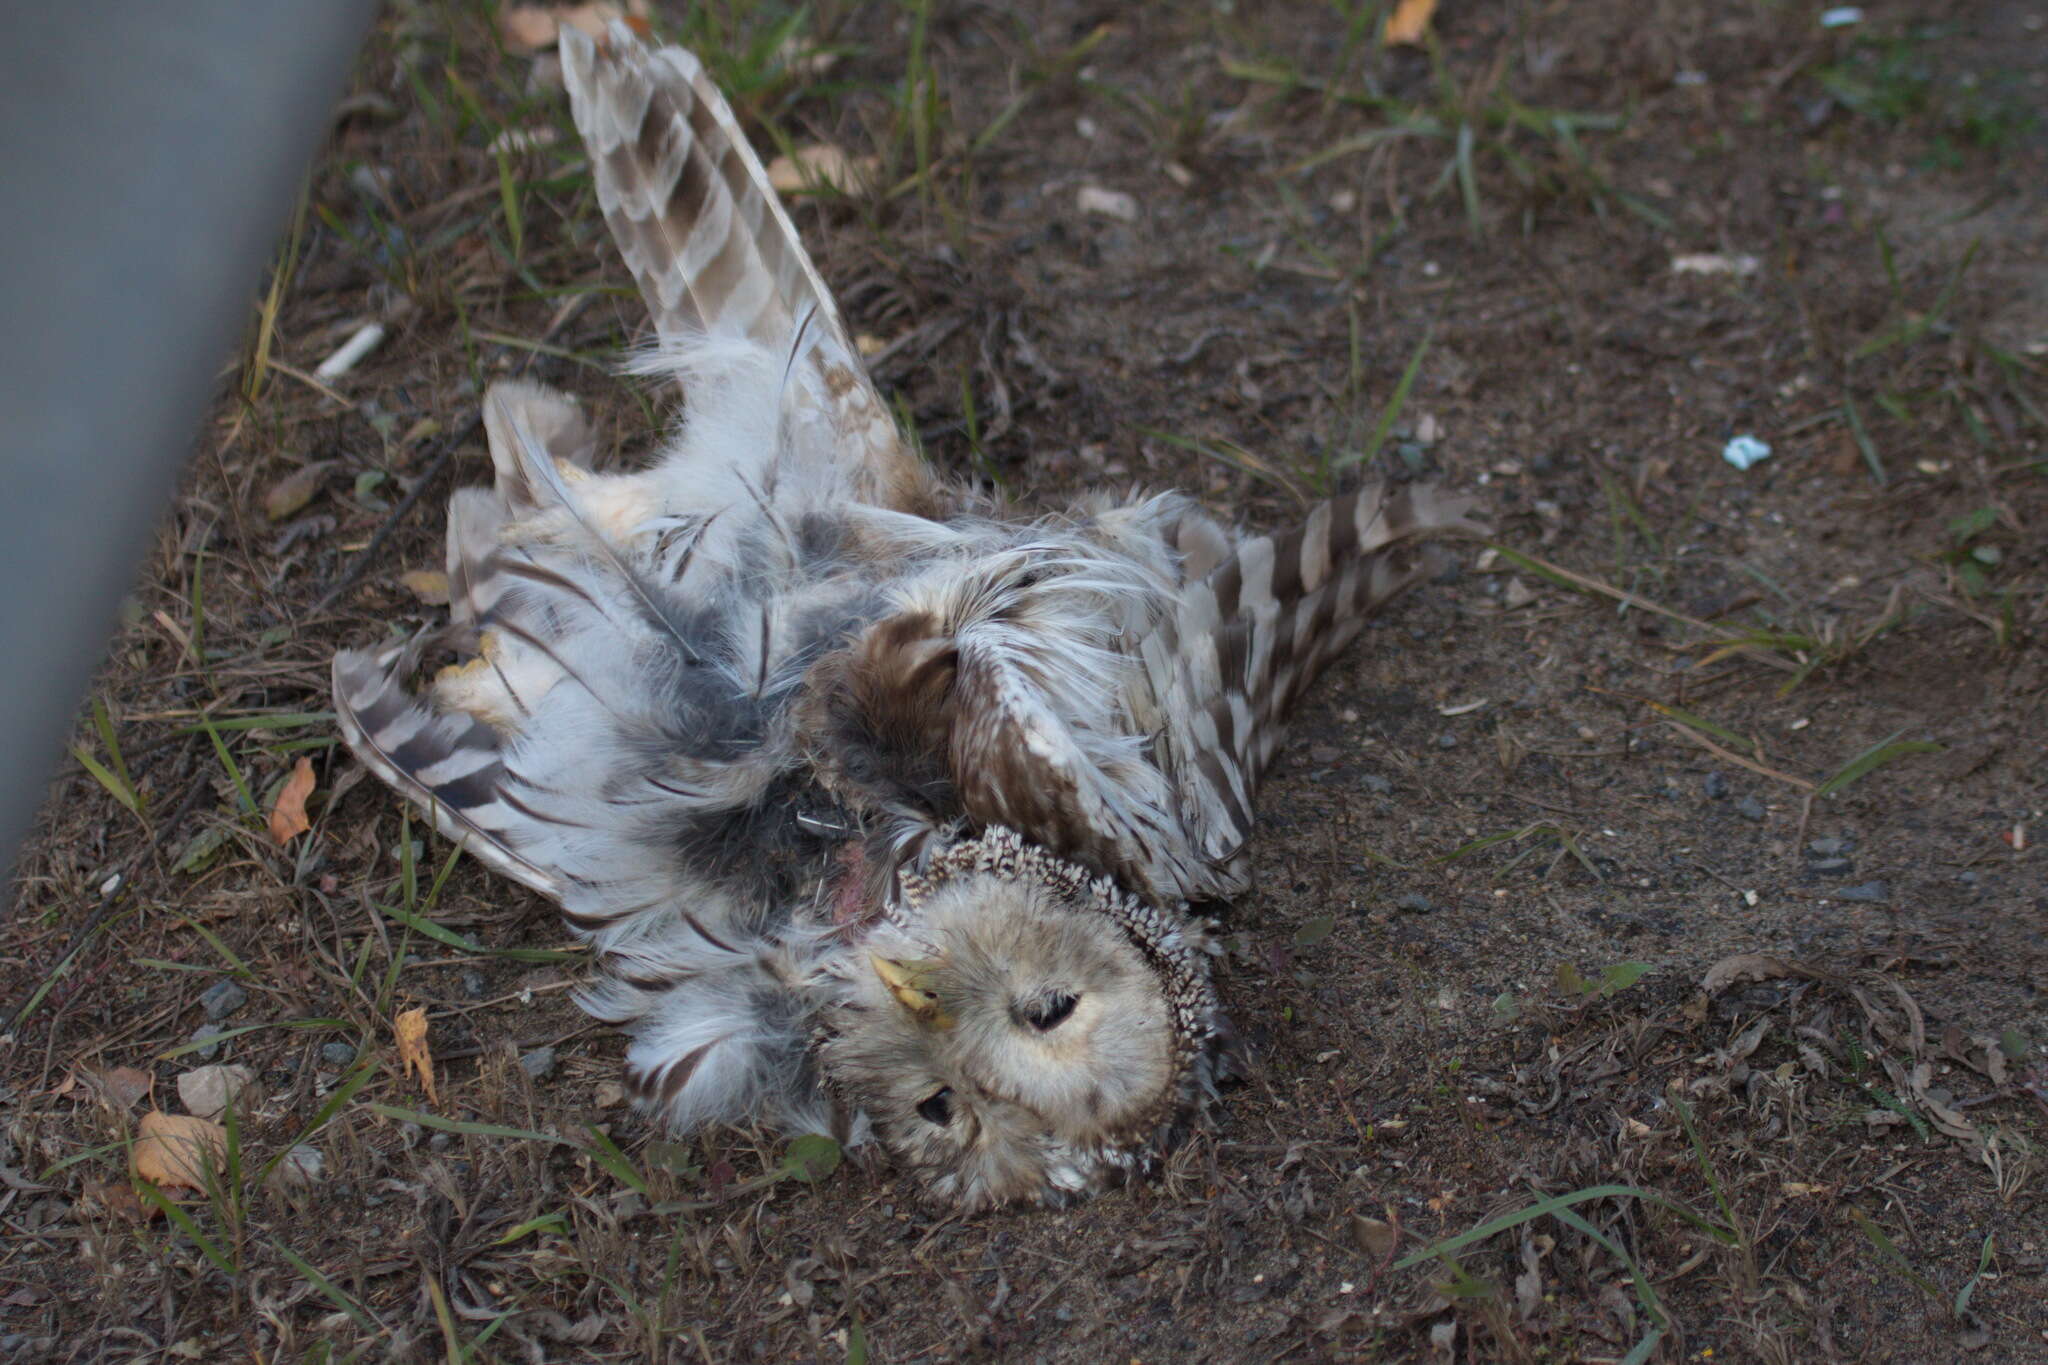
1021	1030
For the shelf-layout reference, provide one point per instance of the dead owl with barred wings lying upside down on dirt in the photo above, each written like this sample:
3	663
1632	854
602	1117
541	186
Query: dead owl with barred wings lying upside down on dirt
880	809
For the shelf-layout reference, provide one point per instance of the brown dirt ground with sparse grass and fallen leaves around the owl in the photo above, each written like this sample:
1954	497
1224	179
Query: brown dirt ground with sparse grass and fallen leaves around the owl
1578	924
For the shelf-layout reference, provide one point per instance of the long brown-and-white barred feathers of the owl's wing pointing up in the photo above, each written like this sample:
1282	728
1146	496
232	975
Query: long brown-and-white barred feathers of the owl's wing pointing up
714	249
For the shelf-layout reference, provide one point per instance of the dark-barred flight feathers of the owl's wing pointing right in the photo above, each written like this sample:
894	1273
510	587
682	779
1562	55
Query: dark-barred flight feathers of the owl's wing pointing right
1244	644
